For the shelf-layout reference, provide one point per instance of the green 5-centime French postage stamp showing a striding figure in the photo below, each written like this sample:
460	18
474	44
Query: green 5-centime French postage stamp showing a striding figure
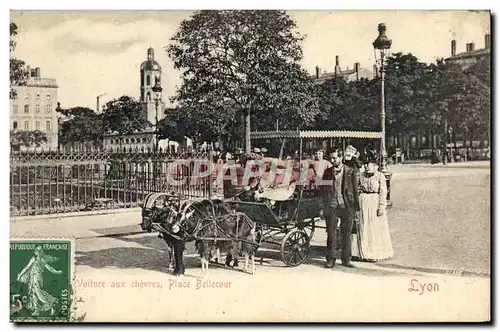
41	275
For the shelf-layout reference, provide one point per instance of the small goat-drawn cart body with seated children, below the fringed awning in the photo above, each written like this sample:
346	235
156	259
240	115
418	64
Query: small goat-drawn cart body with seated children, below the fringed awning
284	213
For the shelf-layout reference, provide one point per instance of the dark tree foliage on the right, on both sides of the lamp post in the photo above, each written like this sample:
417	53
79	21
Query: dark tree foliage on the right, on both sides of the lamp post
418	96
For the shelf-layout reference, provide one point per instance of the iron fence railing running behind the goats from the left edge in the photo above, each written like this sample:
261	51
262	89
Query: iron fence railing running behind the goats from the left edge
49	183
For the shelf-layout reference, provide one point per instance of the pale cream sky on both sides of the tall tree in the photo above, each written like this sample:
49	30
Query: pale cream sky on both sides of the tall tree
91	53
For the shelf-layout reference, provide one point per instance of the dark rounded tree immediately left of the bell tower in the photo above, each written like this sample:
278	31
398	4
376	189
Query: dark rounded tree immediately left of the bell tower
124	116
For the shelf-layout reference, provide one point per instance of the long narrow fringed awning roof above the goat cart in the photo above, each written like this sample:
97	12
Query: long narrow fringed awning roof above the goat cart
316	134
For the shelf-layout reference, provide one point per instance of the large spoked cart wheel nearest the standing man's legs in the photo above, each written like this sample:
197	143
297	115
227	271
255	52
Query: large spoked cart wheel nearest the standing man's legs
295	247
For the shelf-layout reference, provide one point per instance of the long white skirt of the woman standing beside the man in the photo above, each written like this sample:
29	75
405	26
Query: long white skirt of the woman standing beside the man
373	239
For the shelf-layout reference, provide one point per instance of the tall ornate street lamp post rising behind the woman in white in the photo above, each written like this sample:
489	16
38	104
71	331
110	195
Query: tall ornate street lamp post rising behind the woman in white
383	45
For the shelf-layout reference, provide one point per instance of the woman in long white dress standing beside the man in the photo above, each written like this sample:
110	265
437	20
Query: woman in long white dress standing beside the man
373	239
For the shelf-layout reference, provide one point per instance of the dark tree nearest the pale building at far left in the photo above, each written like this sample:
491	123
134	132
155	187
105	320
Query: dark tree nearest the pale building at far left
83	125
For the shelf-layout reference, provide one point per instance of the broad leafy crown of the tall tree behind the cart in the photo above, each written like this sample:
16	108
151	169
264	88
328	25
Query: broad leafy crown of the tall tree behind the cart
241	62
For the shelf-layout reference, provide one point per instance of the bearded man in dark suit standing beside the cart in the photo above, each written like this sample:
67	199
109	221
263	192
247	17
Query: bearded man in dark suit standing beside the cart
341	200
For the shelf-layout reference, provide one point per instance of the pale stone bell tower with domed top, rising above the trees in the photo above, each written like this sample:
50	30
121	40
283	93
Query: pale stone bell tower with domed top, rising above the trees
150	74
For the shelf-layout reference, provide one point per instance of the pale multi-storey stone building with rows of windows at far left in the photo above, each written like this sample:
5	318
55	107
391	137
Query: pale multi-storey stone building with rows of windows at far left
34	107
